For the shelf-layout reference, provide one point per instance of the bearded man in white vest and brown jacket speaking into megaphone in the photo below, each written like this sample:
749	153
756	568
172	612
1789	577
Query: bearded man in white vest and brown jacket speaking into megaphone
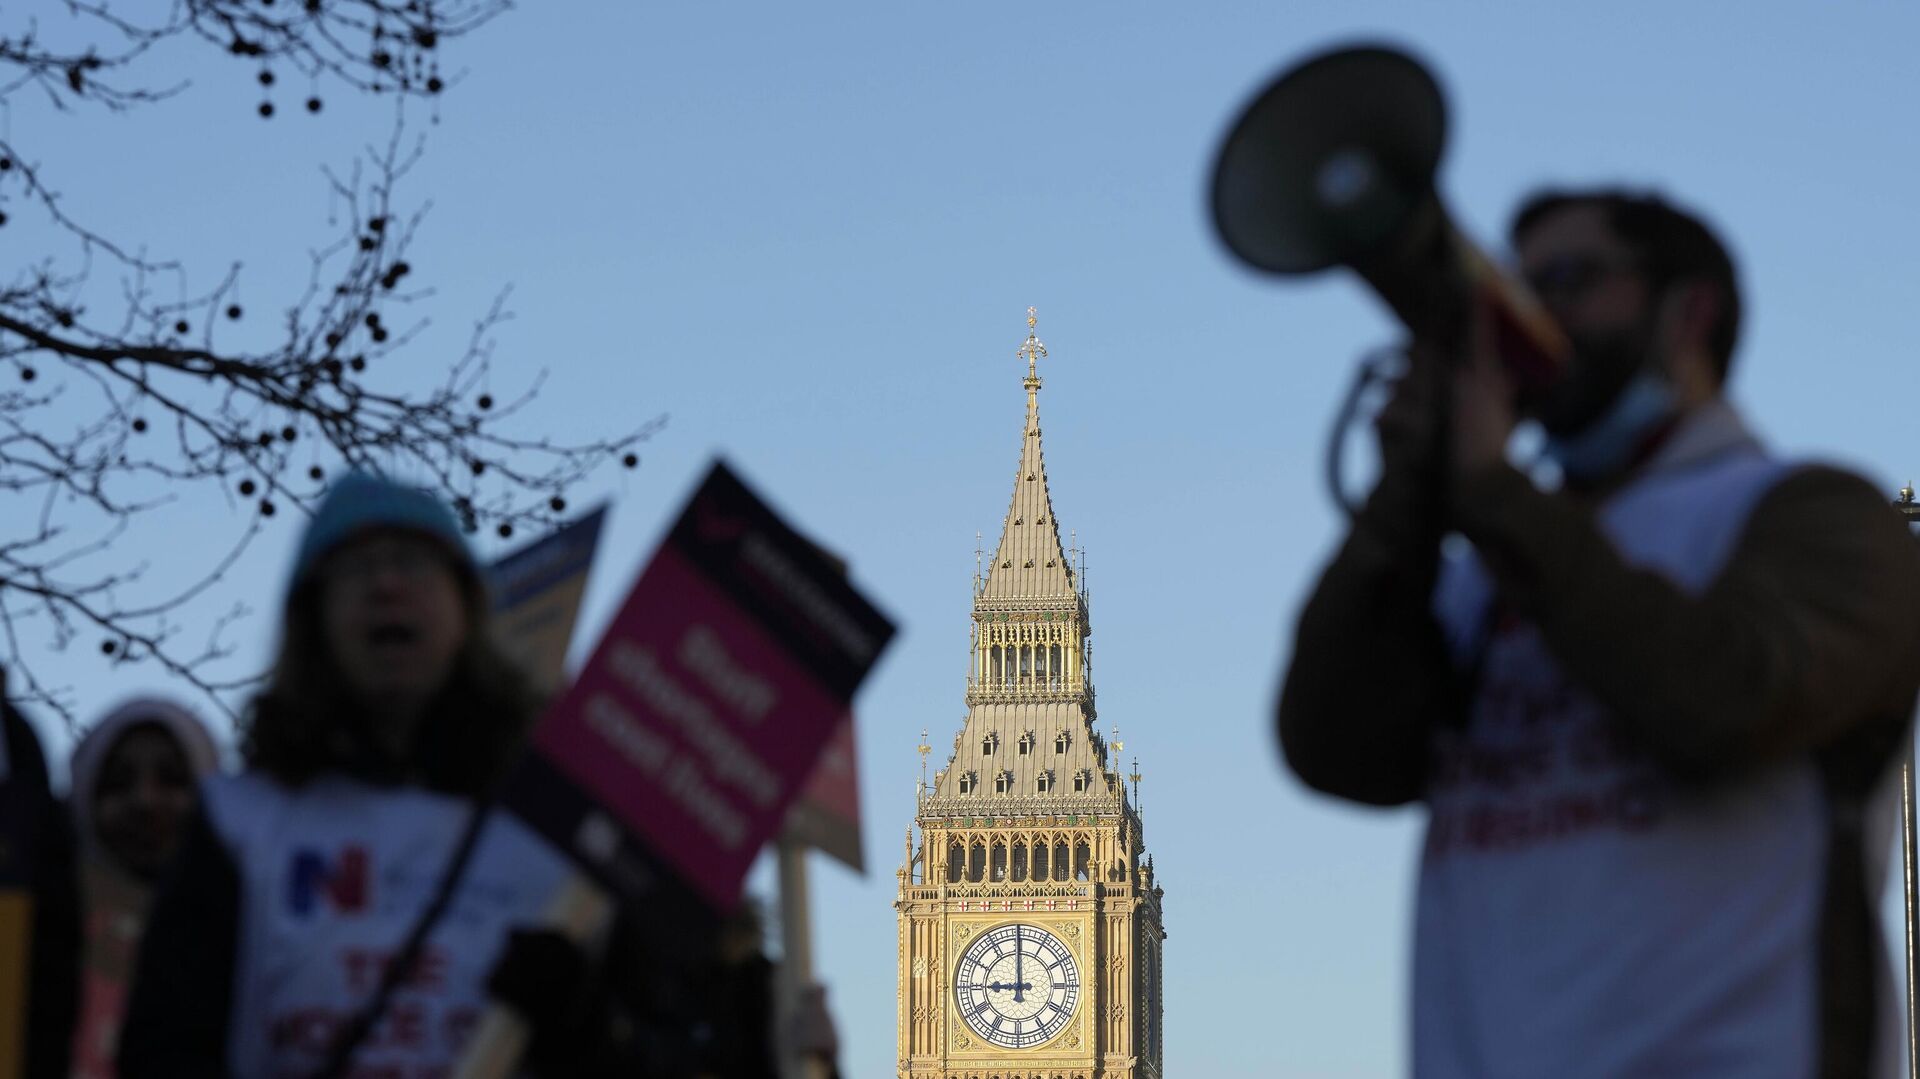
1652	711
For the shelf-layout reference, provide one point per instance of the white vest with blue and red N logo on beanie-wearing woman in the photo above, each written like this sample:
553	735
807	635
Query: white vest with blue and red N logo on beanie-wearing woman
331	880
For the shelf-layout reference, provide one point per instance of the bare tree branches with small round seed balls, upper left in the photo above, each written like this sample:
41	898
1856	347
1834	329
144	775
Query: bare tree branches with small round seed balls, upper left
158	402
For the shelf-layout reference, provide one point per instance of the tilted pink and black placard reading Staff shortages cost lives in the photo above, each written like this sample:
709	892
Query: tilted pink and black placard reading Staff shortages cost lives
706	707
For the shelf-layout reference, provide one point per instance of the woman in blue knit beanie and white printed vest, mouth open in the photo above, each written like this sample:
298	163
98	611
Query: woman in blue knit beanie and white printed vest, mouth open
360	821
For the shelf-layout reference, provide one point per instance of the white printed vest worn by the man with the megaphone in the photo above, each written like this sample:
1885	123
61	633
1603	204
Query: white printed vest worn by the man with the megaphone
1579	915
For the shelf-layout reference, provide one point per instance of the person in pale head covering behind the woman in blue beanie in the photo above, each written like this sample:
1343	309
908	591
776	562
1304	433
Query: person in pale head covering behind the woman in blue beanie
135	786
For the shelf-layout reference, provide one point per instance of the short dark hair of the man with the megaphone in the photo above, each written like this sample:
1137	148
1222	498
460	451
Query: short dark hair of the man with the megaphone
1671	243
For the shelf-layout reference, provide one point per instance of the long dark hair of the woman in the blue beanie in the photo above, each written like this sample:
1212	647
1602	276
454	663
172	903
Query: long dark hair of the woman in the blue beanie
306	723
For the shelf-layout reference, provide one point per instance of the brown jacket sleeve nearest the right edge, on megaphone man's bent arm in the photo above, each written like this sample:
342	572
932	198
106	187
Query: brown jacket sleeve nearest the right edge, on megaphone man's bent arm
1808	635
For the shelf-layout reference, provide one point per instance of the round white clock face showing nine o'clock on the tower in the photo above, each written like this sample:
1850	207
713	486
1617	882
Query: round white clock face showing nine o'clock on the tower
1017	986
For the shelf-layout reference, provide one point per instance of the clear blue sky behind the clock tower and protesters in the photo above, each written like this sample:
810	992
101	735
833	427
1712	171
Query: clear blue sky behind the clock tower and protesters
811	233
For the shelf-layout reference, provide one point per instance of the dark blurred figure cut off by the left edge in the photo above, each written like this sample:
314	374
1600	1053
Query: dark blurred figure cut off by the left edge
39	909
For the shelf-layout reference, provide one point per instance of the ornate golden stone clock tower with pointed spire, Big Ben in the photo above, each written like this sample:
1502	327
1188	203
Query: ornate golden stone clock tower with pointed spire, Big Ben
1030	919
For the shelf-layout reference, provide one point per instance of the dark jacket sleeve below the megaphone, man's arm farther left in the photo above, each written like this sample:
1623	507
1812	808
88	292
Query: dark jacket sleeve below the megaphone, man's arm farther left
1370	671
